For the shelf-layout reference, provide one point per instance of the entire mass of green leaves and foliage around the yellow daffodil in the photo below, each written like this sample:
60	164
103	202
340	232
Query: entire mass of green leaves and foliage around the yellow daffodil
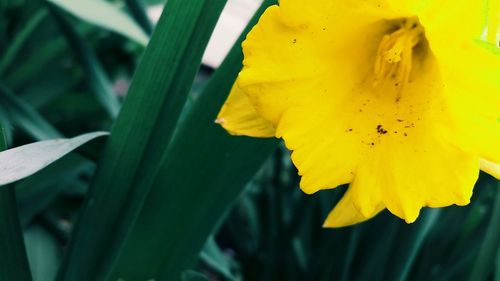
168	195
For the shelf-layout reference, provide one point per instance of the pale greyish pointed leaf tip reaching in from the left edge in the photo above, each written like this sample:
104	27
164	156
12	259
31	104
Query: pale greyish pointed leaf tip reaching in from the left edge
23	161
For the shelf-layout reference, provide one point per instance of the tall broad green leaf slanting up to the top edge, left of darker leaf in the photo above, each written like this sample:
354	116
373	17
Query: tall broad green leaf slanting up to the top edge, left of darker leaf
140	137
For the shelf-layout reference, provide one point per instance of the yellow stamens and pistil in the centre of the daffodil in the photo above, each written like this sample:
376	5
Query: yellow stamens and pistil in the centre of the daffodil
395	53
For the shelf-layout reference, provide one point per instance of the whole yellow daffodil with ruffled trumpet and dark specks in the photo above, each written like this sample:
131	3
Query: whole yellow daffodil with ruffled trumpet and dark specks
398	98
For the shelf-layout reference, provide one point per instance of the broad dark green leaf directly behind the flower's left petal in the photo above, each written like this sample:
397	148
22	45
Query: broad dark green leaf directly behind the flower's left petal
203	172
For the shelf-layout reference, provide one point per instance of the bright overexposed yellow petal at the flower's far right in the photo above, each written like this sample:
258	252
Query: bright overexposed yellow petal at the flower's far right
471	86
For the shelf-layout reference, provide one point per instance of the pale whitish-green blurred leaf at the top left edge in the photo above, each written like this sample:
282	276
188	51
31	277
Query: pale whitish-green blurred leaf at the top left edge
105	15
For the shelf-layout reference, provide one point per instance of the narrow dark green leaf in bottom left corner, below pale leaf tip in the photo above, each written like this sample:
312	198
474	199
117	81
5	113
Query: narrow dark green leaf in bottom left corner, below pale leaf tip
13	259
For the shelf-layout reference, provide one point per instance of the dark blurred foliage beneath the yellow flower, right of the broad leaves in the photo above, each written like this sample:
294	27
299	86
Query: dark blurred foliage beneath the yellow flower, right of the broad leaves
274	233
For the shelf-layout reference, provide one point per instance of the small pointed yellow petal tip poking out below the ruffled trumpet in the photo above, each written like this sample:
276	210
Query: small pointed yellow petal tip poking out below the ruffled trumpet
347	213
